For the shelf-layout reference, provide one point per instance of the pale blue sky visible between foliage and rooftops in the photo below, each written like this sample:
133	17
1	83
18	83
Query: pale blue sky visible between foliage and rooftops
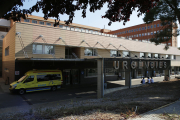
94	19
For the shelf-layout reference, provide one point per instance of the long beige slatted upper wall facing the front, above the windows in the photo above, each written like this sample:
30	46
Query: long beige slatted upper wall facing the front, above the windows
74	39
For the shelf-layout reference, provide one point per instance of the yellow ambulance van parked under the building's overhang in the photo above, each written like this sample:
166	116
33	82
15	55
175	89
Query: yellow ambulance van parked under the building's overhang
38	80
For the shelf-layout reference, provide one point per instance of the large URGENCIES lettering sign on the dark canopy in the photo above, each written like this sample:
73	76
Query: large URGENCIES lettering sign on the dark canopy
140	64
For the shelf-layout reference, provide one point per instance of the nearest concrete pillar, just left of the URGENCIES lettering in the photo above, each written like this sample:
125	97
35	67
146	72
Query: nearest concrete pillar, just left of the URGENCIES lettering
100	78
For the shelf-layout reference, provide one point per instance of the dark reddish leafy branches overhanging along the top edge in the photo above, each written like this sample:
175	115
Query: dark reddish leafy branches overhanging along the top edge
118	10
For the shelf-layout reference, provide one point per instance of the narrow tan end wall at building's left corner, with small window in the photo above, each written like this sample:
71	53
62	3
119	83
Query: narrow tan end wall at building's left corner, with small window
8	66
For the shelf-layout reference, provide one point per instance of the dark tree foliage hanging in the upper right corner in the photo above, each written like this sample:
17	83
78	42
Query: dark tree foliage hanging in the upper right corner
168	12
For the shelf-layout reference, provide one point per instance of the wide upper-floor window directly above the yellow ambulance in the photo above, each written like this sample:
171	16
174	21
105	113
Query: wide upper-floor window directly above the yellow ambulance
43	49
